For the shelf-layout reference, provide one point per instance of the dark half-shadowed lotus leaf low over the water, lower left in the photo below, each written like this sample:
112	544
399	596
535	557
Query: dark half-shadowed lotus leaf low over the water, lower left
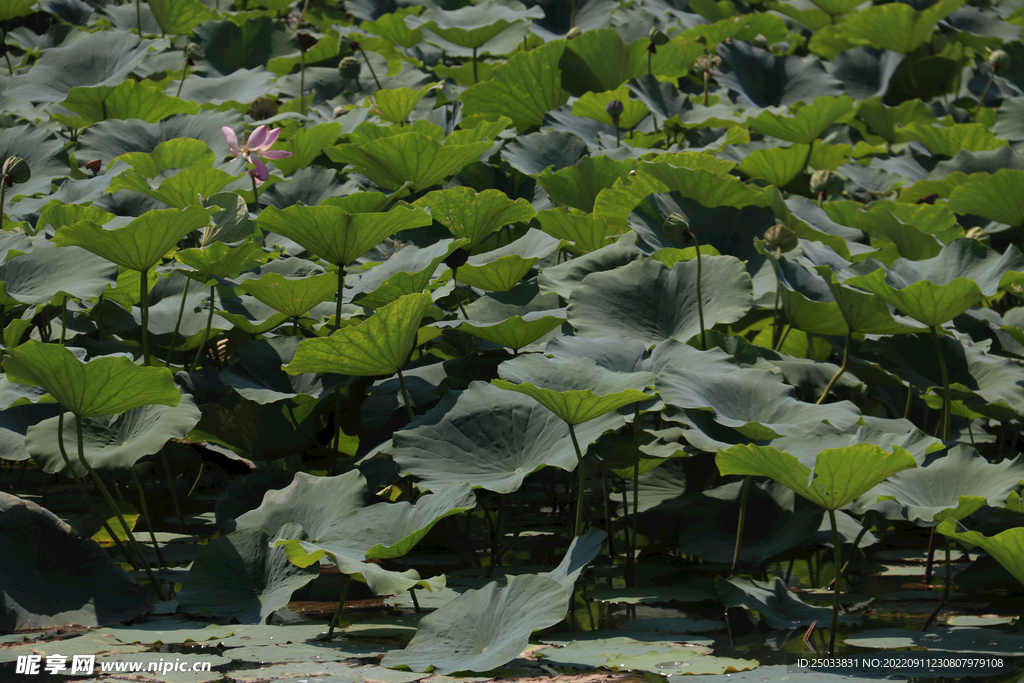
242	576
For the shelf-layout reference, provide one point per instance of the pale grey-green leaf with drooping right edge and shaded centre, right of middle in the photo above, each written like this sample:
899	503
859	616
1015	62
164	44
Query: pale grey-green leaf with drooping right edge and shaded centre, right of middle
754	403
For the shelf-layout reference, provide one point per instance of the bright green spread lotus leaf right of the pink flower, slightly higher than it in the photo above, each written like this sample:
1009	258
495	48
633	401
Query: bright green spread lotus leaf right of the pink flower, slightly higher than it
412	158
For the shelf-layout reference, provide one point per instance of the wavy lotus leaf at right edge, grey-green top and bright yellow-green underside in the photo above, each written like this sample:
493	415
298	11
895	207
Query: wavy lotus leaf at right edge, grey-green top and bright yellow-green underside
937	290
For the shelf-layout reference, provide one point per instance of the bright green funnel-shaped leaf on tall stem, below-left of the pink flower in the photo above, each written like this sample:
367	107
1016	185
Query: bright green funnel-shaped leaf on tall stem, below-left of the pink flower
143	243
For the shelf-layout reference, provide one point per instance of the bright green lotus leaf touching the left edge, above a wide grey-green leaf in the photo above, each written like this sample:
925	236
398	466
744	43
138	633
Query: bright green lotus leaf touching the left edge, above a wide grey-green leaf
103	387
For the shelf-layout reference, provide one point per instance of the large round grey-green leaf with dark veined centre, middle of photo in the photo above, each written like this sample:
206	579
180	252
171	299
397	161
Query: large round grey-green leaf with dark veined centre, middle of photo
492	439
